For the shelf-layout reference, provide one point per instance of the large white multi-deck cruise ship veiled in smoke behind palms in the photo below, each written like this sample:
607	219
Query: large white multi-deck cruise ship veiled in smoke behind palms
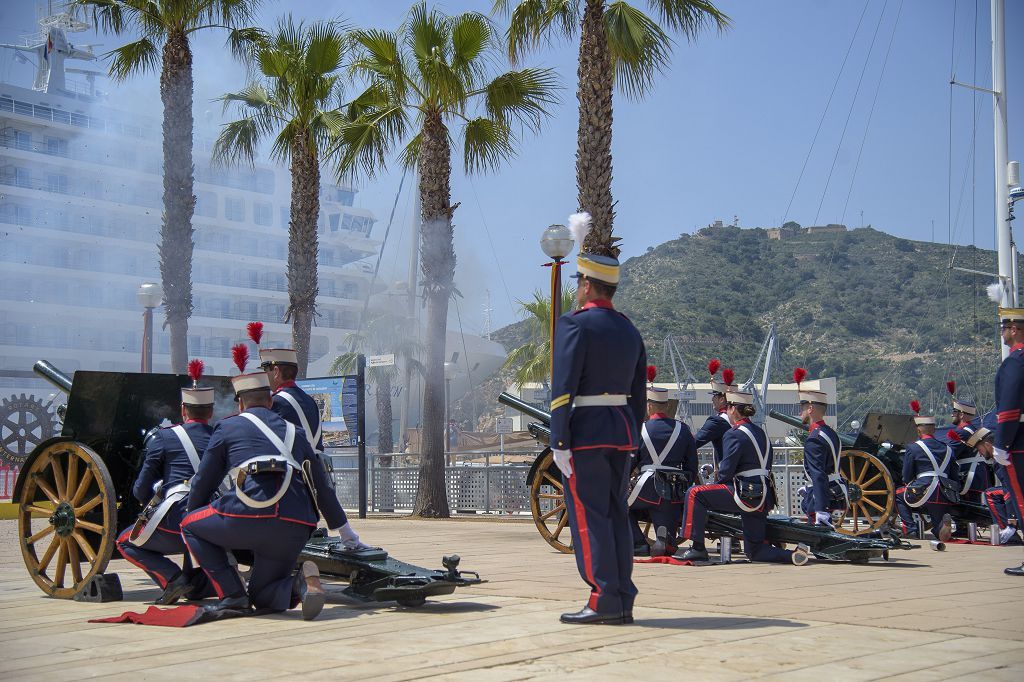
80	218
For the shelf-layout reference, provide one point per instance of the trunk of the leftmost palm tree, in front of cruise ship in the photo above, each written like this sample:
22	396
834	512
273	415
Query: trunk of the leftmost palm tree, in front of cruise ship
180	203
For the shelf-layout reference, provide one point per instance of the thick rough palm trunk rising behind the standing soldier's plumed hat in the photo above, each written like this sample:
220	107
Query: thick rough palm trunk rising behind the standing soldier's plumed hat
594	137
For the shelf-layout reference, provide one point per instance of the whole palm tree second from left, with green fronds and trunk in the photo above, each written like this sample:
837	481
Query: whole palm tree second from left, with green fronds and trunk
295	99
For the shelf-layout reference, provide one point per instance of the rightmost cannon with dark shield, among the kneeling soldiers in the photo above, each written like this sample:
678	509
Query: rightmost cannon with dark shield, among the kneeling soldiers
872	462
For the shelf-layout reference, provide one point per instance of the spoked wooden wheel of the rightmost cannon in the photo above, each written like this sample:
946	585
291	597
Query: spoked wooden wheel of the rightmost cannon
872	493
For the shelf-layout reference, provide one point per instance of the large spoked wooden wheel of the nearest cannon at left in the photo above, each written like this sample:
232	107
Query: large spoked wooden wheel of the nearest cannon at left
67	518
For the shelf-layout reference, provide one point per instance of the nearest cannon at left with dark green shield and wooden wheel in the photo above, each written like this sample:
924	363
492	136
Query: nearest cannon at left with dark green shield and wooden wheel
74	493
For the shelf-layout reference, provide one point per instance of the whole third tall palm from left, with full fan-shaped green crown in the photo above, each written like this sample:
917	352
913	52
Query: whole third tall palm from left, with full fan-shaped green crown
422	81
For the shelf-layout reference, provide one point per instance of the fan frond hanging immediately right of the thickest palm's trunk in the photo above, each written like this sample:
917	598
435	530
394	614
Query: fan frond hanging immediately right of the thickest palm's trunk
638	47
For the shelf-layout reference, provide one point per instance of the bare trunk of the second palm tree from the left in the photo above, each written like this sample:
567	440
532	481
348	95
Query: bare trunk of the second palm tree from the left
303	246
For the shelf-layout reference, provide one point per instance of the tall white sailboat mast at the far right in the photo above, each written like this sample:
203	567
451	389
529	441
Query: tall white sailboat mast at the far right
1004	240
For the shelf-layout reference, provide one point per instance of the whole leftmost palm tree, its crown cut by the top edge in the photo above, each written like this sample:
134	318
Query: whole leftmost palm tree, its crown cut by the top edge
166	27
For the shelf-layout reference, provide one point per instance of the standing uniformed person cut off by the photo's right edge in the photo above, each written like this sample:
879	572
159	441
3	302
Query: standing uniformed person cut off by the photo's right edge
1009	443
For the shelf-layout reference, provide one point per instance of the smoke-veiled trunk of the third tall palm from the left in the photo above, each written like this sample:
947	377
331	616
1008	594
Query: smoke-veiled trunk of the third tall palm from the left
438	262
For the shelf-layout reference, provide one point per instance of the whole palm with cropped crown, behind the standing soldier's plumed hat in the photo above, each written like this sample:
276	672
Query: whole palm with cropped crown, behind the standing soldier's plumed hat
620	47
